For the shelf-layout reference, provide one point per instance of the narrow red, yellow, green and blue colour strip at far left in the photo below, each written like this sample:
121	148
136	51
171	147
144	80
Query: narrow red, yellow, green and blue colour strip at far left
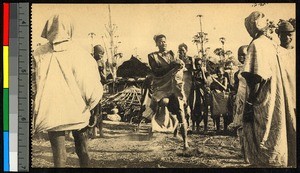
6	13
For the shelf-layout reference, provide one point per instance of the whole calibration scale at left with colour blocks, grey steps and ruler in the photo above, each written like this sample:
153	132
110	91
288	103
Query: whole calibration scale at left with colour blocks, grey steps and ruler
11	91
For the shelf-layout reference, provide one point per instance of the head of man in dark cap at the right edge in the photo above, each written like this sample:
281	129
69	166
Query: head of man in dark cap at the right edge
285	33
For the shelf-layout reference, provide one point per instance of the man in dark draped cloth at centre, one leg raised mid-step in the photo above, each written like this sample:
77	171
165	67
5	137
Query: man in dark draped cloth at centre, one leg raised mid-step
168	83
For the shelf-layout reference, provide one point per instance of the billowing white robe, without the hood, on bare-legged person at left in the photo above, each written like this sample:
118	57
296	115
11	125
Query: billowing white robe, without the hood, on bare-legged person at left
67	87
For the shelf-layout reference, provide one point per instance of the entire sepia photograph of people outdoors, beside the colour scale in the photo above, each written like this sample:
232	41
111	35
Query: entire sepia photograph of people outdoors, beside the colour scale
163	85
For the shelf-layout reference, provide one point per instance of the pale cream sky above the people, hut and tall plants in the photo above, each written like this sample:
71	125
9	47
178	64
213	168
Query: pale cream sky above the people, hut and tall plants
138	23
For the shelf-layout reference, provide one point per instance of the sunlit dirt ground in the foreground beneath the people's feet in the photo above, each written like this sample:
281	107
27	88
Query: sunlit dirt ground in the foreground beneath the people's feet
125	147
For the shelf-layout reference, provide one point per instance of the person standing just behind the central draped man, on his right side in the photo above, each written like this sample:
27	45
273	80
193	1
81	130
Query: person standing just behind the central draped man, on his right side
187	79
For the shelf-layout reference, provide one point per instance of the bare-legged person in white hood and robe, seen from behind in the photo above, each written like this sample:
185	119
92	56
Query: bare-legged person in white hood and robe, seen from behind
67	85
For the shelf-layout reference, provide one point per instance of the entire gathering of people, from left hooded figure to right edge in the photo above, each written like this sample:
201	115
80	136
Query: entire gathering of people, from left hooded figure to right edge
258	99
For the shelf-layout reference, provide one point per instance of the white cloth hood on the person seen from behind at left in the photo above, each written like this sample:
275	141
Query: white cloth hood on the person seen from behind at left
58	28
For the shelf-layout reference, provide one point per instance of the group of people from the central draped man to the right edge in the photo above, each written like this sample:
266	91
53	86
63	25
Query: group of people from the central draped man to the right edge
258	99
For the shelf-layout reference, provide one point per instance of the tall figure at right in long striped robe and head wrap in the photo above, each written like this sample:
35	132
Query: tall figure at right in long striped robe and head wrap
269	119
